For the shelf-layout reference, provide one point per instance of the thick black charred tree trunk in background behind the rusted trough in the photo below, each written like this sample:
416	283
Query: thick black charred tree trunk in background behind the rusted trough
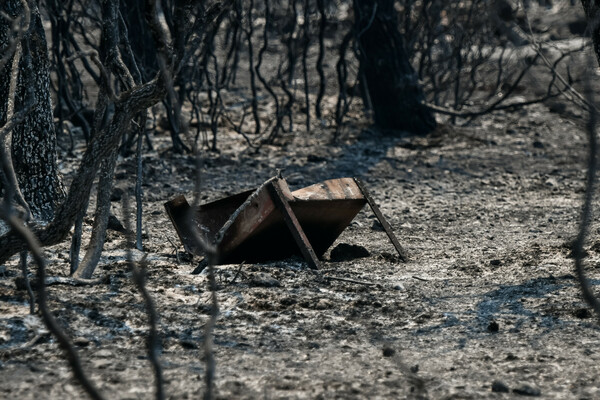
390	81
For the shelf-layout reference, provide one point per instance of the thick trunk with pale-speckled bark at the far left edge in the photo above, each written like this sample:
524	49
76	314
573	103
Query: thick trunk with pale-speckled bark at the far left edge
34	140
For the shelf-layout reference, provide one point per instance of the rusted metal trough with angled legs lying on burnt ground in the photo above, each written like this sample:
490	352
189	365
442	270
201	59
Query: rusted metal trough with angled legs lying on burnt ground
272	222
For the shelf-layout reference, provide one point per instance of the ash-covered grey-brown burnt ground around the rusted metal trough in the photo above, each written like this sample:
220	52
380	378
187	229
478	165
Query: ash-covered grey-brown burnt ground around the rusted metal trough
487	307
